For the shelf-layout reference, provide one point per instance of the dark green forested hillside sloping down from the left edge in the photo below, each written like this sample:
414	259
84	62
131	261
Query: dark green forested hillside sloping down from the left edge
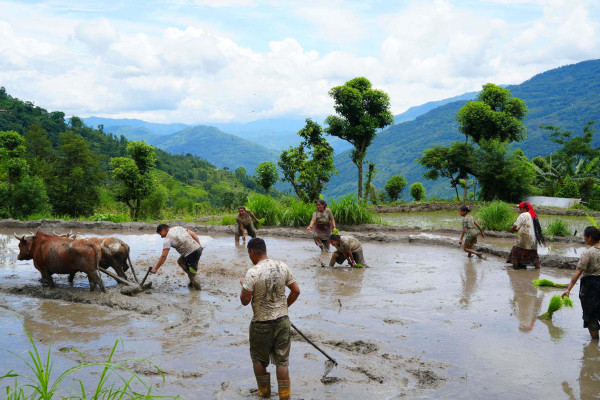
71	158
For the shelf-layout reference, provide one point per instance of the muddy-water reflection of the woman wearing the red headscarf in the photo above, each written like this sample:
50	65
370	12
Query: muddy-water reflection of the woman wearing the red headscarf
526	301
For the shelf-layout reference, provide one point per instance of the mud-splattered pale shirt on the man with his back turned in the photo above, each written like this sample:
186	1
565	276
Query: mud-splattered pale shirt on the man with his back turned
267	281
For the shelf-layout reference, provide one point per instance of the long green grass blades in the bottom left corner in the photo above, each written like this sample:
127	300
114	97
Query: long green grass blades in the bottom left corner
115	381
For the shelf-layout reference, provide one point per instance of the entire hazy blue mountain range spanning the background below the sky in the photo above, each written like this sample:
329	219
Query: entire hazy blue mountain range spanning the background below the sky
568	97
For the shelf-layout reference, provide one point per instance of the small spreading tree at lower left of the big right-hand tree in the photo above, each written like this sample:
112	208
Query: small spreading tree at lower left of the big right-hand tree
455	163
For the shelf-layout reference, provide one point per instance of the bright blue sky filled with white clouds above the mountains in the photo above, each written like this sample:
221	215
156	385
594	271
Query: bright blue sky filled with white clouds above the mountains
203	61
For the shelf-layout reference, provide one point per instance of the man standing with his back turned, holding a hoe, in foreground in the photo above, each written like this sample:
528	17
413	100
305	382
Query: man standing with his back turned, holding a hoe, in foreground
264	286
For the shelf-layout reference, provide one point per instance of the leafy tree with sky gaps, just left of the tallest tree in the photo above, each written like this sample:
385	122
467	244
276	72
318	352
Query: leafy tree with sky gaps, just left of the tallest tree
309	166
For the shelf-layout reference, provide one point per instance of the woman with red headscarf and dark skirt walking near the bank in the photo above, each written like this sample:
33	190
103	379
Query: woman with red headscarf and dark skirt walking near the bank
529	236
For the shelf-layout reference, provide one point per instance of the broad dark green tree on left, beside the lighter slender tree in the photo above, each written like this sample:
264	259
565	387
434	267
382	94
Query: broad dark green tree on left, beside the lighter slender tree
76	177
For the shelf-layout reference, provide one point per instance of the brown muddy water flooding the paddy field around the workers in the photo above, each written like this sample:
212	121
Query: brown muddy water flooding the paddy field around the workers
421	322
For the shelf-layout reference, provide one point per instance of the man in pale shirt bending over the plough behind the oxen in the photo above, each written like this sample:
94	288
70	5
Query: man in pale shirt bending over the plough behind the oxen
187	245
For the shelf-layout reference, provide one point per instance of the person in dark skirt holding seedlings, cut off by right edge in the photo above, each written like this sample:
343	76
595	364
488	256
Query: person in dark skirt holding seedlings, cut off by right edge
588	269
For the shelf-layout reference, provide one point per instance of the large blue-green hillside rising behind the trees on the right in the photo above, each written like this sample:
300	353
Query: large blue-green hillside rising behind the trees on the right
568	97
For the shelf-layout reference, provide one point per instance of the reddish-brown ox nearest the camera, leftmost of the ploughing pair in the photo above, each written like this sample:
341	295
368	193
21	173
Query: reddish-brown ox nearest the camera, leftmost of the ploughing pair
58	255
